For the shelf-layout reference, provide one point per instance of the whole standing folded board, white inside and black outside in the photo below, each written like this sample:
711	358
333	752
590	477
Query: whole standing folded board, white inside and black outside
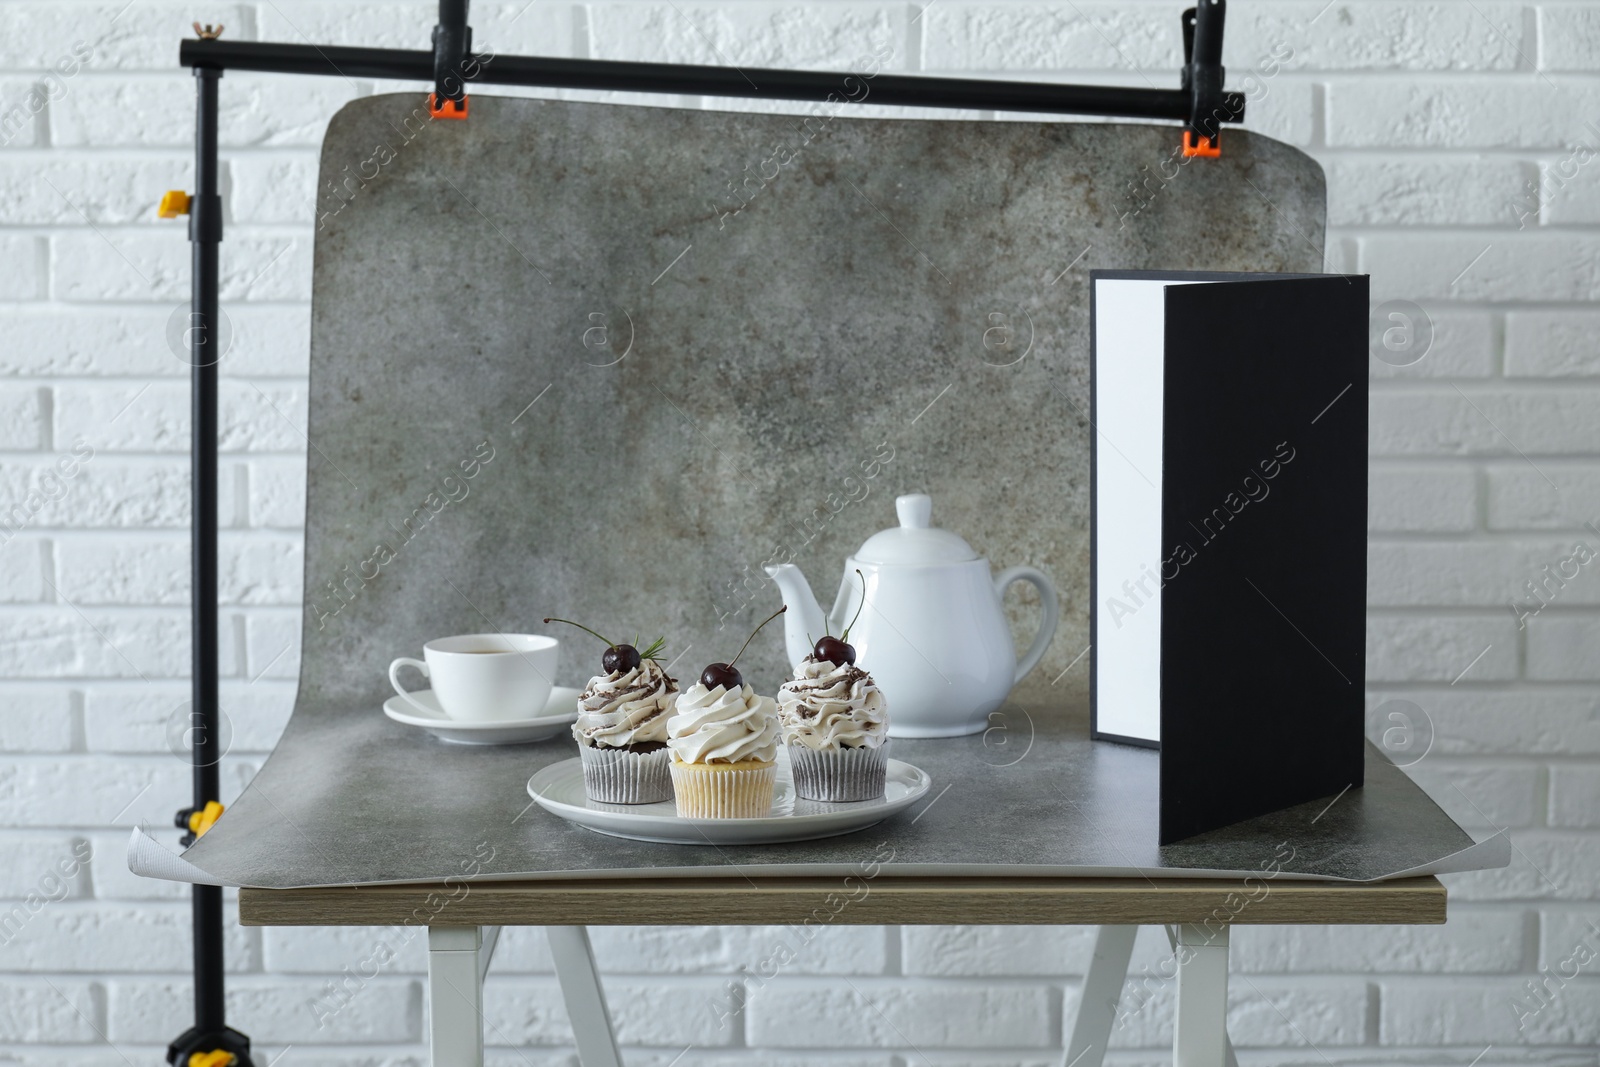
1230	535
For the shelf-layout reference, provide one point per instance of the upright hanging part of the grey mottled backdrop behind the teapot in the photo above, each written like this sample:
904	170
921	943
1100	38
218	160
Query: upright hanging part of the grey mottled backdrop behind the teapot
903	308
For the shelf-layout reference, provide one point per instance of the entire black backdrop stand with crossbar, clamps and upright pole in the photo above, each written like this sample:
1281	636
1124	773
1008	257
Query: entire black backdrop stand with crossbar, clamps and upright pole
1199	103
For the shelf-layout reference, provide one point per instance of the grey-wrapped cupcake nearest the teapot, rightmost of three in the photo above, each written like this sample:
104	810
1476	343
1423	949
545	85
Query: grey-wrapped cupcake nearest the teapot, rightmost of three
836	729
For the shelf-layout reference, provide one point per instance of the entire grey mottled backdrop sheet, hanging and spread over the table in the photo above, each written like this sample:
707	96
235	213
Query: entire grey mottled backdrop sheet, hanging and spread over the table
558	369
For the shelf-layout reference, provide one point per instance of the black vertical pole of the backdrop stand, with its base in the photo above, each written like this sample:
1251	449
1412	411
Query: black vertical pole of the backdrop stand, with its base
210	1031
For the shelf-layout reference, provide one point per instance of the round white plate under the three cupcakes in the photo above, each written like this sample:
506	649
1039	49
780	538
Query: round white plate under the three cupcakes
559	789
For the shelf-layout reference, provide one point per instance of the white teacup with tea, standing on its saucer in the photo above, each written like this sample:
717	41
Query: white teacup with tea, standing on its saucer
486	677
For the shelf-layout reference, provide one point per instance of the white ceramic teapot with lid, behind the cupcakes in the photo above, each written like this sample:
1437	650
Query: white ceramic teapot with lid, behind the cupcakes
932	631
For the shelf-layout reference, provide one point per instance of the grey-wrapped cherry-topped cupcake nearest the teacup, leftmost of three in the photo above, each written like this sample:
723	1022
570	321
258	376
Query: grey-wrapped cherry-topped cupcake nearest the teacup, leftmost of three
622	727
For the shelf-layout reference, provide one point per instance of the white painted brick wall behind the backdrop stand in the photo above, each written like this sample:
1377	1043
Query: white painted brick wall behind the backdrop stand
1433	118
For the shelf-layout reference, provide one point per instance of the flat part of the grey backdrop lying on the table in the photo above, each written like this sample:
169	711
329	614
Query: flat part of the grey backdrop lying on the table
351	797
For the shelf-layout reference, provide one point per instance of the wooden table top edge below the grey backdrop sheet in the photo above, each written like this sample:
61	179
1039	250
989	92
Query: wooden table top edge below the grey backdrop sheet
849	901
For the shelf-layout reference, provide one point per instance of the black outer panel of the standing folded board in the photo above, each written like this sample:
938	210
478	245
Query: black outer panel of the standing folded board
1265	524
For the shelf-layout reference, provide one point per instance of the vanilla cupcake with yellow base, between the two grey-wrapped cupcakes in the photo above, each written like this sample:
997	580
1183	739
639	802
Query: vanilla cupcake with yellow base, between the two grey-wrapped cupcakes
724	748
